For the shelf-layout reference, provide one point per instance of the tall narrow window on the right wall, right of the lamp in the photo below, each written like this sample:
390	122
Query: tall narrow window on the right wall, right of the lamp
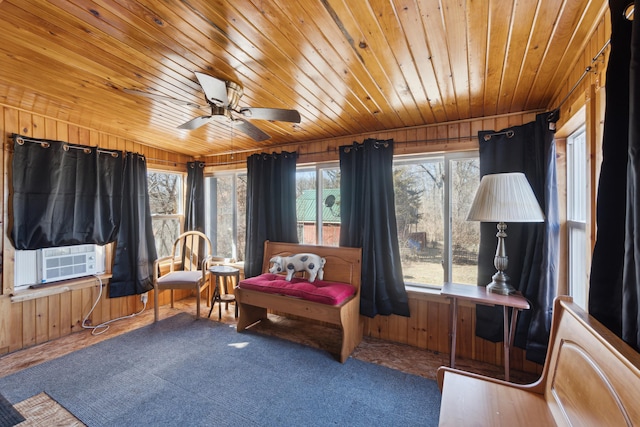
577	216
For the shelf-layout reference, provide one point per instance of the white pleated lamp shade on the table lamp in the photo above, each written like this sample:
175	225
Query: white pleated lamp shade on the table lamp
505	197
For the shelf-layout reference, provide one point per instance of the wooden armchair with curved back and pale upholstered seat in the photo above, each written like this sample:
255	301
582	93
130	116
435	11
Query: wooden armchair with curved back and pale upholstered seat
188	268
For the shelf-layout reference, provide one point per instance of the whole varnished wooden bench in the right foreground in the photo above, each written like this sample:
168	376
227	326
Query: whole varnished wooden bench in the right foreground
590	378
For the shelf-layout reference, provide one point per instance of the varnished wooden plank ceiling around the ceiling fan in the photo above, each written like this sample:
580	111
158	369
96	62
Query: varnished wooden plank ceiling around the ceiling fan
348	66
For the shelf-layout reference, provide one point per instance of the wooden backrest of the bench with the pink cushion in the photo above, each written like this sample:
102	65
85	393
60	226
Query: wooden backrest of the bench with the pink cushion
343	264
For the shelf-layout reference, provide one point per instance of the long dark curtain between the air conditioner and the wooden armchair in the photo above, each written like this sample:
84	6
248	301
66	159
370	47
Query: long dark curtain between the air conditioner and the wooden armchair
135	248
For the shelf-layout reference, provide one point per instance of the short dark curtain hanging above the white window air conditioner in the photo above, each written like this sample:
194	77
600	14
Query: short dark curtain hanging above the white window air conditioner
64	194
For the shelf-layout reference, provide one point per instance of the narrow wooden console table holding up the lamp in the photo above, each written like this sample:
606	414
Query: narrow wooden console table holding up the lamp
479	295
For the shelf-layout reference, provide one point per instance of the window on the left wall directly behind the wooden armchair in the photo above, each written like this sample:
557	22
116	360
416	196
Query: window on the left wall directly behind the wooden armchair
166	203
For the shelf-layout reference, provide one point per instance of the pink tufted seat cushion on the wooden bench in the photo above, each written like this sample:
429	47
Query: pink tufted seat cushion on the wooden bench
331	293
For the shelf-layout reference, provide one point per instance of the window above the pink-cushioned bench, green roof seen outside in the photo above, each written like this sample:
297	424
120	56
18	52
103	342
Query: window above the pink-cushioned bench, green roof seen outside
318	196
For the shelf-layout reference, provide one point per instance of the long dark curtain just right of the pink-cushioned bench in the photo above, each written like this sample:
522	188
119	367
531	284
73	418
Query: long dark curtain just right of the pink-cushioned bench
368	221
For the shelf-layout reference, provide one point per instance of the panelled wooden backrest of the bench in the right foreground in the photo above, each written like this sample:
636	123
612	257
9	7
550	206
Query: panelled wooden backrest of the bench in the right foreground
591	377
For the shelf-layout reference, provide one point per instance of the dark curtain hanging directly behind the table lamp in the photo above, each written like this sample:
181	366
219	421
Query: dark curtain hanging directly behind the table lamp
532	247
